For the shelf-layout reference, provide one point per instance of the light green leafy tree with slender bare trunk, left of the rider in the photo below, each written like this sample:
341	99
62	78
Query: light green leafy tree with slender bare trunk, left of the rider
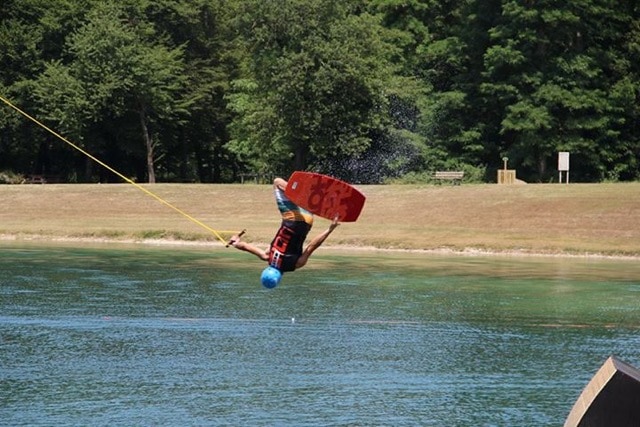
127	67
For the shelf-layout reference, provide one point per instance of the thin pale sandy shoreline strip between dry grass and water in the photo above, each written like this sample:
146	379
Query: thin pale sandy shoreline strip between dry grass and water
214	245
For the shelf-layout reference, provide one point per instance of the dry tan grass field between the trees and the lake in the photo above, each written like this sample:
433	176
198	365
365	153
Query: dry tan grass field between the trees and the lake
537	218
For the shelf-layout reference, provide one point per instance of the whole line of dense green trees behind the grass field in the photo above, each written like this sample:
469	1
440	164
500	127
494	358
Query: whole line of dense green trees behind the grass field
366	90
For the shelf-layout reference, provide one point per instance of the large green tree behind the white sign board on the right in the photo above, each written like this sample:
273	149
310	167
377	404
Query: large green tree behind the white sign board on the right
552	66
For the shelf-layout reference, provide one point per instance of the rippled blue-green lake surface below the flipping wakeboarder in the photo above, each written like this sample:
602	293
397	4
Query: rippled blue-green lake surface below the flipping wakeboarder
136	335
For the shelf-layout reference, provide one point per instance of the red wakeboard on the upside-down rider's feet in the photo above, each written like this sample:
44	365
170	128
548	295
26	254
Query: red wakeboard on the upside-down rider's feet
325	196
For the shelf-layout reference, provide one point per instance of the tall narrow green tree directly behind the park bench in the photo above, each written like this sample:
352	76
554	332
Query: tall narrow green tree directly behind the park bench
451	59
